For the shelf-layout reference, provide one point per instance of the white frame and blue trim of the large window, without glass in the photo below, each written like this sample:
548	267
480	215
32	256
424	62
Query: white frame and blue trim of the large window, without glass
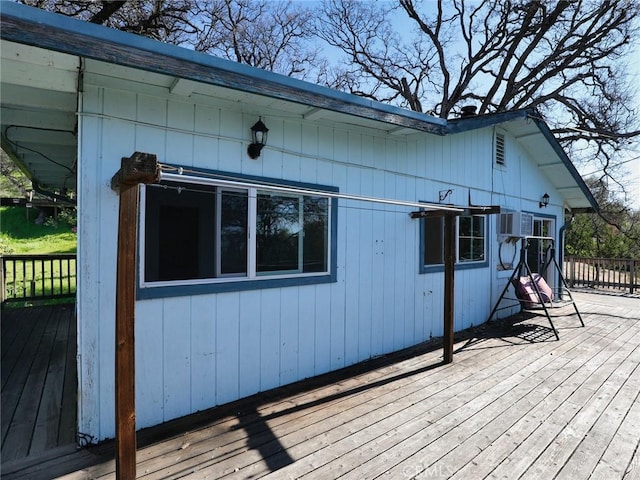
252	280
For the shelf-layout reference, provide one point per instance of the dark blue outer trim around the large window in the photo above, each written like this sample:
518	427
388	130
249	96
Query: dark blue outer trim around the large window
144	293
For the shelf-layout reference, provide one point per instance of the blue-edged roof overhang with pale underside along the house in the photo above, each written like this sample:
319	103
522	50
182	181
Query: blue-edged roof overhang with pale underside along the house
42	55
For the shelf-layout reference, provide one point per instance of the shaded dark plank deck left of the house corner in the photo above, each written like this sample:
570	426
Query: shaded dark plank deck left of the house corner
39	381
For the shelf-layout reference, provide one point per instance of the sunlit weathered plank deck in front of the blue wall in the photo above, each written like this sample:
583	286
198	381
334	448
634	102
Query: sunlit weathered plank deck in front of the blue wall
515	403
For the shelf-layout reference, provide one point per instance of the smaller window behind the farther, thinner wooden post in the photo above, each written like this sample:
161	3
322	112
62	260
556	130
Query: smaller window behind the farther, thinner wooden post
470	242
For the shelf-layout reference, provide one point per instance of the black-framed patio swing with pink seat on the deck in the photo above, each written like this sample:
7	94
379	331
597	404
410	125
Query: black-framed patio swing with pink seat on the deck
532	292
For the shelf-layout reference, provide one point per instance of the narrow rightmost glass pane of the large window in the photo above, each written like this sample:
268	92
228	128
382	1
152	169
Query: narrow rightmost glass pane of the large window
316	234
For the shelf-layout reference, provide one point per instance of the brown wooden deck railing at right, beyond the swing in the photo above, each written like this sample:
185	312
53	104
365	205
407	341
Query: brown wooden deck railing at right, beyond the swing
613	273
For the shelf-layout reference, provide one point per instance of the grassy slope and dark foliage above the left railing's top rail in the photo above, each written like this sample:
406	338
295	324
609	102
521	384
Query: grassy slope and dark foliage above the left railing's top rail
19	236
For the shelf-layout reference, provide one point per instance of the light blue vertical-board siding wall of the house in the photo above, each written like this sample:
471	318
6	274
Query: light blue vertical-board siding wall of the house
197	352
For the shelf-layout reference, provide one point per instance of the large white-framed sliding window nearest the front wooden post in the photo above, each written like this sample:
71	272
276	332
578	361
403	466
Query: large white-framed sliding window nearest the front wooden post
212	234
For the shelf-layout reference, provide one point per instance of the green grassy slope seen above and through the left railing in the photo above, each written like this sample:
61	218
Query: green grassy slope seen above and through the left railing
19	236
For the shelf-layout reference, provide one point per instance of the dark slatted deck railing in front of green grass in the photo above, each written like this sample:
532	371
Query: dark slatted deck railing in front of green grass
37	277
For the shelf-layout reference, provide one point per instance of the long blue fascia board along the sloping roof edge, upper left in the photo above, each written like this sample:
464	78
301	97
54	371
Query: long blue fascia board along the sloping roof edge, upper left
32	26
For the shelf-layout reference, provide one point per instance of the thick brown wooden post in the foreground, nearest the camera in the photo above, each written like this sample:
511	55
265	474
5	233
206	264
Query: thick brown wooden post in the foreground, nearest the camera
139	168
